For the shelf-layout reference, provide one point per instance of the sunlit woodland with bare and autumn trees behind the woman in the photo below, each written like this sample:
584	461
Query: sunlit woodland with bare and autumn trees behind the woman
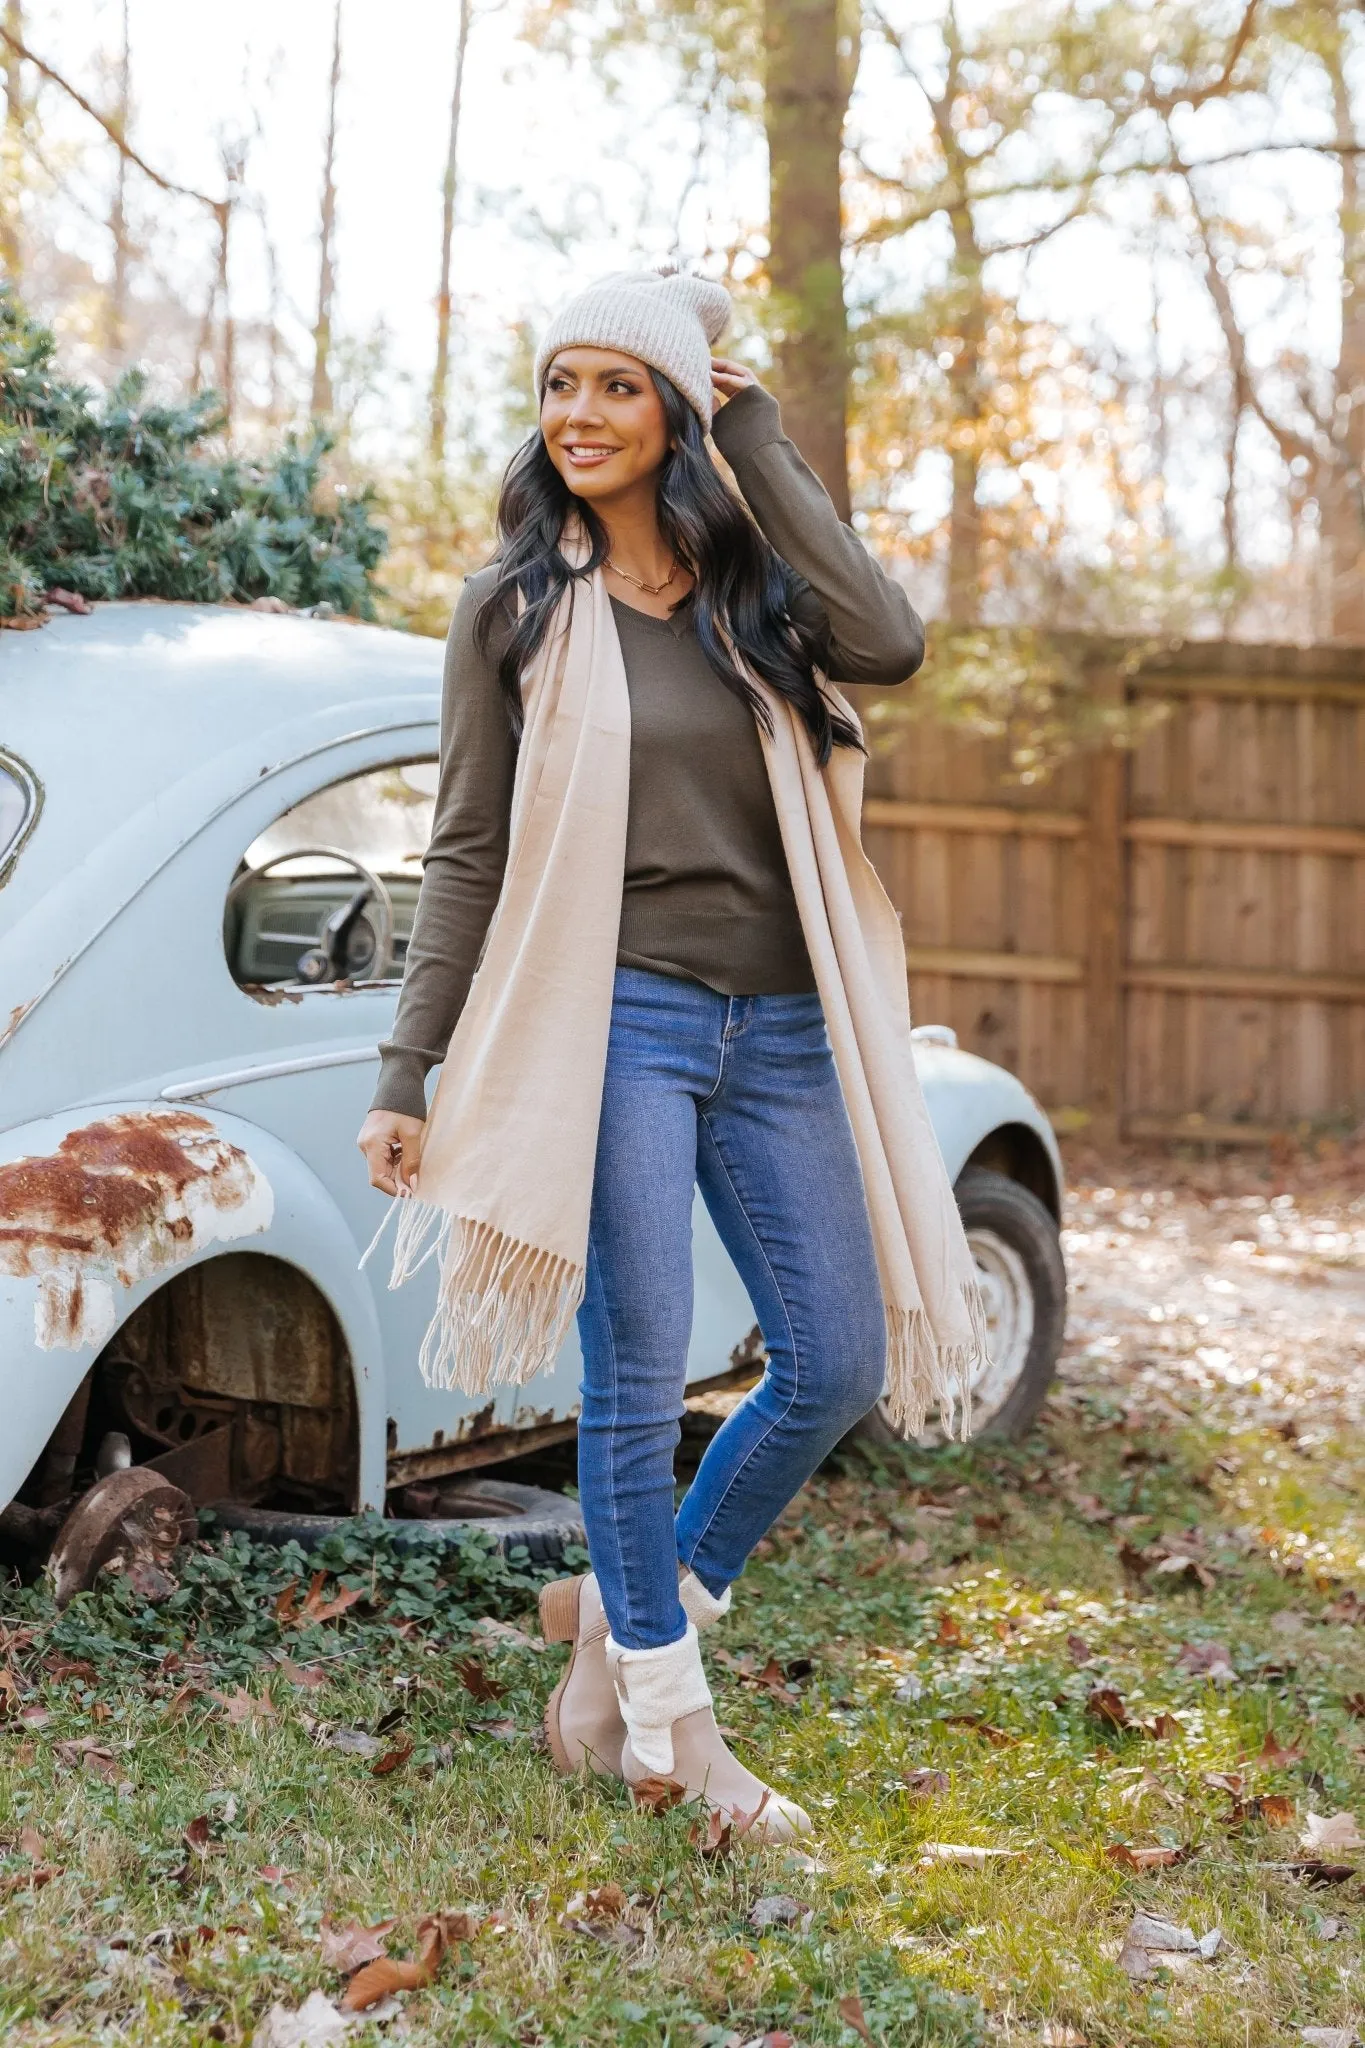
1065	302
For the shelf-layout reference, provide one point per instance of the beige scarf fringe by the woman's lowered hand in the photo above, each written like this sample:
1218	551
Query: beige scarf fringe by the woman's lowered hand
502	1308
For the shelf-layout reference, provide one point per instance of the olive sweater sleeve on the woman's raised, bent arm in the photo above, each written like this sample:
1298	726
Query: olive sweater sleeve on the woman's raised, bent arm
873	632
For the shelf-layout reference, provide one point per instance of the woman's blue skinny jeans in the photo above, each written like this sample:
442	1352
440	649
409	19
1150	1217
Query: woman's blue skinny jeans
736	1095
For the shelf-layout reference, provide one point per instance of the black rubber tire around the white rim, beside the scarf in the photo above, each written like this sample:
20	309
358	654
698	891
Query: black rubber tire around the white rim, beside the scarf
1002	1209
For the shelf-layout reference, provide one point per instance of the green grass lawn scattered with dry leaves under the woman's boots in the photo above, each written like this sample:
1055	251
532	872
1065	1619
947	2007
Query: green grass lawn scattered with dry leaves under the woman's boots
889	1578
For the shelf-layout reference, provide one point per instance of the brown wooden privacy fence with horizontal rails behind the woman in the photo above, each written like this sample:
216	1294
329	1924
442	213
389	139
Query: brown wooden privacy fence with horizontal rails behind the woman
1168	939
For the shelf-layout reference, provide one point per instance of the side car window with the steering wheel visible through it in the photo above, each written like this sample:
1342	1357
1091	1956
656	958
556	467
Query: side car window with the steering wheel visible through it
331	890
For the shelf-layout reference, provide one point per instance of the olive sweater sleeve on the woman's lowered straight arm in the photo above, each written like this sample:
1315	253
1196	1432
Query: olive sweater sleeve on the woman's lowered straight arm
461	869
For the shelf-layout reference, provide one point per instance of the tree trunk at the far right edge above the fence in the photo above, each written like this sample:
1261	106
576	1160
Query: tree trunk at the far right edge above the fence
1344	493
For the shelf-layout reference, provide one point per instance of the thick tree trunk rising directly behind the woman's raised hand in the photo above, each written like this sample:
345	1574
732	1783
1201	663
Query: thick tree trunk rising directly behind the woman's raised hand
803	112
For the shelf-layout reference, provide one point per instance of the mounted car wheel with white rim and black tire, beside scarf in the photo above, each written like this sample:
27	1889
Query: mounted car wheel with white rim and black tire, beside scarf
1018	1256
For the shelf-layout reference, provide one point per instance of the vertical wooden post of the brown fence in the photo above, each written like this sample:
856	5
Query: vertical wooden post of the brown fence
1106	951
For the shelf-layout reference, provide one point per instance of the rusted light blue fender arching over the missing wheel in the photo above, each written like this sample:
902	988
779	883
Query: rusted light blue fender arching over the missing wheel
103	1205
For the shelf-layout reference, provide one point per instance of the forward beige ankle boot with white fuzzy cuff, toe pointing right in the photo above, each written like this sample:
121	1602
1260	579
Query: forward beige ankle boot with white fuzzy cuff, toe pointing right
672	1734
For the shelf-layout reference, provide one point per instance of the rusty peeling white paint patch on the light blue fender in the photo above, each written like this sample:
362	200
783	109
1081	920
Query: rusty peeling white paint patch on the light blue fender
120	1201
